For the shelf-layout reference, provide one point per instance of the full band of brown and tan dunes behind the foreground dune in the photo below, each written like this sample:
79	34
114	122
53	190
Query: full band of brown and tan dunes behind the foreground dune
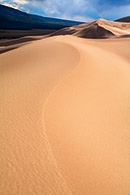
99	29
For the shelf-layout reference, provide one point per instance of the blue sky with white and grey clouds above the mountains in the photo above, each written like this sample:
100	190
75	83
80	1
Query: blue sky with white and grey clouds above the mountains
79	10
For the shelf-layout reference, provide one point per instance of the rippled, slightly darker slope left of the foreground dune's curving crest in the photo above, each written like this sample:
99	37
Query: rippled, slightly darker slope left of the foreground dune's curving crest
27	75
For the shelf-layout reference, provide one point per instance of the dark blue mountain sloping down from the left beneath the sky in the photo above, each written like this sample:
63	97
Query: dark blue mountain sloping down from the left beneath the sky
13	19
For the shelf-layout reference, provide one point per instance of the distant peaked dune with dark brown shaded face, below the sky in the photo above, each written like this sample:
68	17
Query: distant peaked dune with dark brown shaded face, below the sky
98	29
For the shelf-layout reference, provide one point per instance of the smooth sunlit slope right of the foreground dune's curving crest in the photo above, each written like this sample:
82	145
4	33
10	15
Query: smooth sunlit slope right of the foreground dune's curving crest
89	131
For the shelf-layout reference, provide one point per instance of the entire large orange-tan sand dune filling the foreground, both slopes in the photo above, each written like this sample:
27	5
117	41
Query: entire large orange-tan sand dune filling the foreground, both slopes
65	117
